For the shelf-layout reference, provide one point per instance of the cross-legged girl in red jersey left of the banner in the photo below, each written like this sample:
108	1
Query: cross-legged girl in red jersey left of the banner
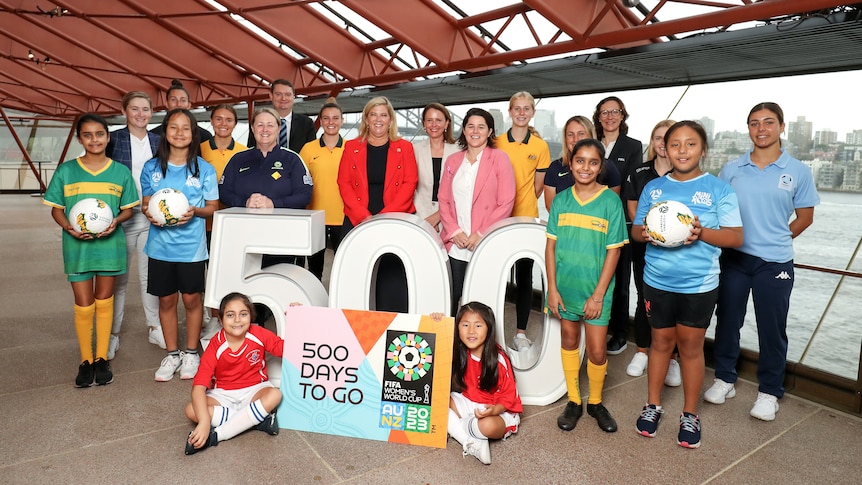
230	396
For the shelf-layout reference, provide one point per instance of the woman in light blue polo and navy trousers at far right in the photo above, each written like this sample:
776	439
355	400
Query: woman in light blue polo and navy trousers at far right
777	196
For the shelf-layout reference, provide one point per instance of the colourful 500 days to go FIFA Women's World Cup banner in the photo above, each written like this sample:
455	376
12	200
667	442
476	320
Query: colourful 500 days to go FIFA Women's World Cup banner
373	375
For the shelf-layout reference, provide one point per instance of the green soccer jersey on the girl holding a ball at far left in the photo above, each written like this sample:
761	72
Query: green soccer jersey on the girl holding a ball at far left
114	185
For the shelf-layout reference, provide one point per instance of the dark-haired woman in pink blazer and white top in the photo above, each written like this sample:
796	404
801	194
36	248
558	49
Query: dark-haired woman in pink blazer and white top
477	189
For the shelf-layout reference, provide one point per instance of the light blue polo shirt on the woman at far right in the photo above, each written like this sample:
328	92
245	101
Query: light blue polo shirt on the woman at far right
768	198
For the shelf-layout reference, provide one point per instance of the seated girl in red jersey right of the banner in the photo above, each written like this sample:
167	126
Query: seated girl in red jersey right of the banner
484	403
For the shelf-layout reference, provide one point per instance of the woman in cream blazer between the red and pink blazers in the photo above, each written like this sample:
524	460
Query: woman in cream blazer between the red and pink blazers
430	155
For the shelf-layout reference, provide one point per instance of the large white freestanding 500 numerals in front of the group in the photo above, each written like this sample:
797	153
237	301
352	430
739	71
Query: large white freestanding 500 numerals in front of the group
241	236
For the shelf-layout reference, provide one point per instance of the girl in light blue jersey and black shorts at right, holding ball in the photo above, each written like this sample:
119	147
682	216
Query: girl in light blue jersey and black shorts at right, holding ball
681	284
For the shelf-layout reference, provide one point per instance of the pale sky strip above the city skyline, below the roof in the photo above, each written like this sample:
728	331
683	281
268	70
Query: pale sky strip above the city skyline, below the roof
828	100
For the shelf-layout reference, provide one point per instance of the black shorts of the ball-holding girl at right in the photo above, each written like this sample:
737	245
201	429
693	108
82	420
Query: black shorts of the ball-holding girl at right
666	309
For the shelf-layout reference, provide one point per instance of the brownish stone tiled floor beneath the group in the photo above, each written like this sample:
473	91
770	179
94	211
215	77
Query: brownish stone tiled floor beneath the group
132	431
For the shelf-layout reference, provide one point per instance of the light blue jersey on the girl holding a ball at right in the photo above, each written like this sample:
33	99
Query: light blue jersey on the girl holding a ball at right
692	268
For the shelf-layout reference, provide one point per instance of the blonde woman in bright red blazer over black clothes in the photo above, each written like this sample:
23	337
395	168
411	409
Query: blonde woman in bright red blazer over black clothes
378	174
